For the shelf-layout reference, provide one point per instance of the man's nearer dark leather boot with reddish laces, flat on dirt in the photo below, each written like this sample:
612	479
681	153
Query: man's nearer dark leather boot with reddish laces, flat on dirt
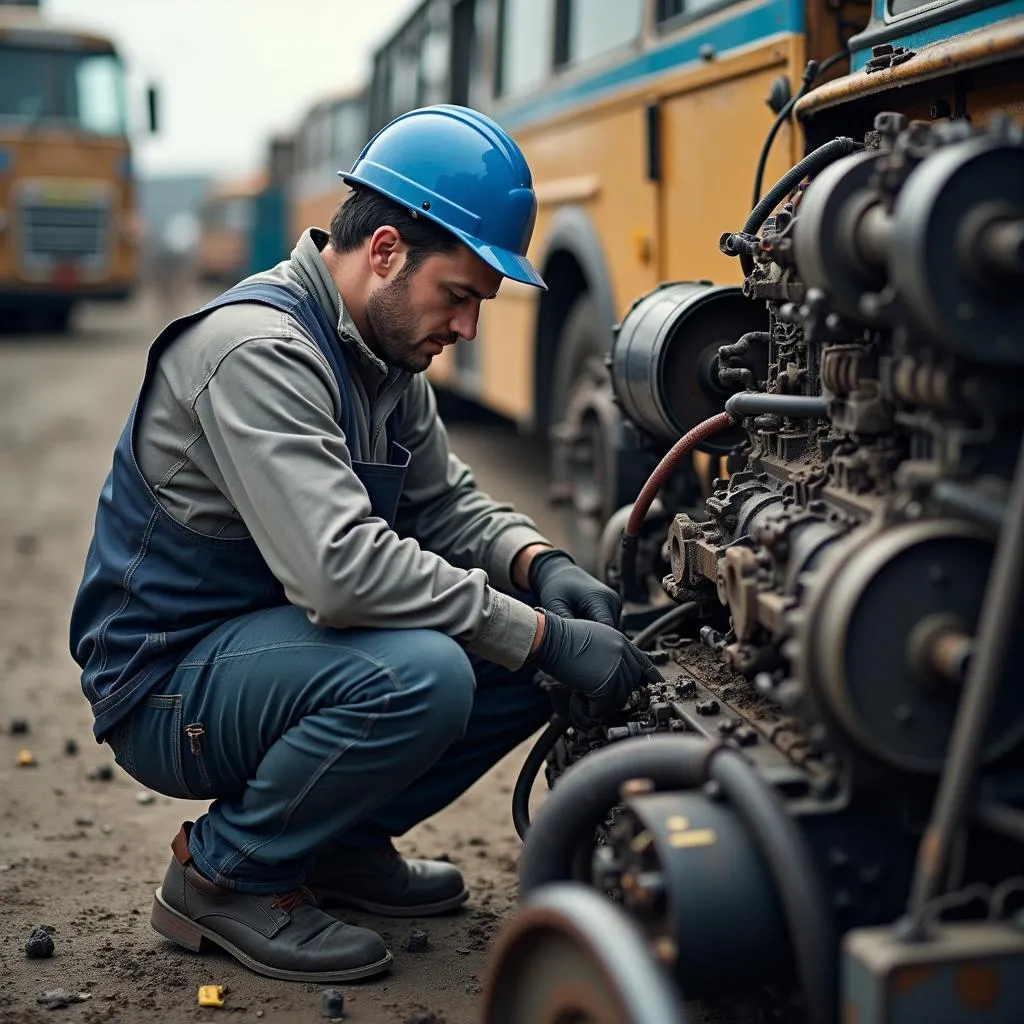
284	936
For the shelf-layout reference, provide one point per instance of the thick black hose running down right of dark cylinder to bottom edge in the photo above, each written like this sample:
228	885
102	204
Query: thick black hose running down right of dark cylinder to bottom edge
801	890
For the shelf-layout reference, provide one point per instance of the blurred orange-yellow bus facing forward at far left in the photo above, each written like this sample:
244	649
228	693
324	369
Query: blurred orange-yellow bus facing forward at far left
69	228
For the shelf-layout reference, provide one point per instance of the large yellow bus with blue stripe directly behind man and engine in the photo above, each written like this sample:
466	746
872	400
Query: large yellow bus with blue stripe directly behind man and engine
642	120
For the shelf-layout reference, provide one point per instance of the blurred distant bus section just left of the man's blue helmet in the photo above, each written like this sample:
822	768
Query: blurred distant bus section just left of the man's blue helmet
329	140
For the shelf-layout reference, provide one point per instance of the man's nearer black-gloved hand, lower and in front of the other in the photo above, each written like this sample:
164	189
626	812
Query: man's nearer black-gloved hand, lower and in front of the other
594	661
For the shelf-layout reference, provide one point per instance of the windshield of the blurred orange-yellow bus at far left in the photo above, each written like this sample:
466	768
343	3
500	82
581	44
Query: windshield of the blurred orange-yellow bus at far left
76	89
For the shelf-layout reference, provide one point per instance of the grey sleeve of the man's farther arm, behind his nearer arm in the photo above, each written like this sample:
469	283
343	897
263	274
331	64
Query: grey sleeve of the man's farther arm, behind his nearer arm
442	505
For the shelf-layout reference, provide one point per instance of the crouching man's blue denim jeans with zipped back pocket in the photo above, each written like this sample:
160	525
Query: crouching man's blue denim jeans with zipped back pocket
302	736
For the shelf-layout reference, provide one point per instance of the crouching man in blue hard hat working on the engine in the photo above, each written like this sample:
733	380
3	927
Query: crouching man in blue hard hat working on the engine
296	603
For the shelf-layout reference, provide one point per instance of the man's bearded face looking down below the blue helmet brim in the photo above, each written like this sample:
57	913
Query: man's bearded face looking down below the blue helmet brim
418	313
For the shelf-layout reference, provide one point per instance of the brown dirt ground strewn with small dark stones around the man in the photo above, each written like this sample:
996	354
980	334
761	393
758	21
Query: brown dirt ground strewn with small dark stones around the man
83	856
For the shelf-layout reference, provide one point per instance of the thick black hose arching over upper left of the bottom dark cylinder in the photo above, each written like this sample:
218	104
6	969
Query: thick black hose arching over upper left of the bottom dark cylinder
589	790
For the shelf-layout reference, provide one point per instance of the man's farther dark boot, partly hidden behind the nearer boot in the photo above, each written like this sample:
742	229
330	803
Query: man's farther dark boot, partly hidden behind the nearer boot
383	882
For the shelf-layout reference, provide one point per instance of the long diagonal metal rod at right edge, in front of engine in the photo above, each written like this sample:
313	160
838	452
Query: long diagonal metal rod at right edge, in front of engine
997	633
